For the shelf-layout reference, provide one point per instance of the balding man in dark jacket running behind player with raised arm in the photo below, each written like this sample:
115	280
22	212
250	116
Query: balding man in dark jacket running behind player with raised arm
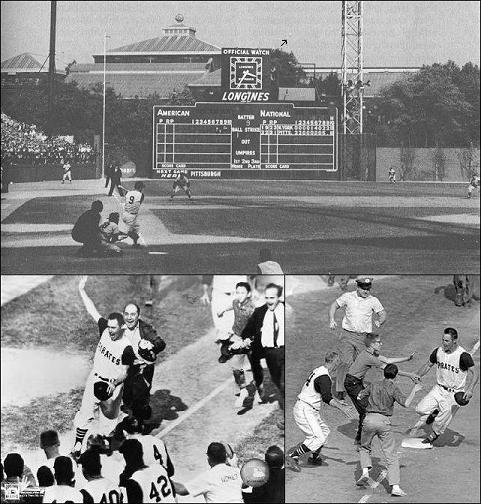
147	344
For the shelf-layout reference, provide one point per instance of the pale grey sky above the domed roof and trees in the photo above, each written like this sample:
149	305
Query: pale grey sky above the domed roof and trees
402	34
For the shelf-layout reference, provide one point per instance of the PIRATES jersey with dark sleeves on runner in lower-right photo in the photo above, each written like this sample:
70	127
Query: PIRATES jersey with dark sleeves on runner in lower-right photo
452	367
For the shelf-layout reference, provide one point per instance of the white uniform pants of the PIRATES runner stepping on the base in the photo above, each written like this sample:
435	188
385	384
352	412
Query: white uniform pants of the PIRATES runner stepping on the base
442	400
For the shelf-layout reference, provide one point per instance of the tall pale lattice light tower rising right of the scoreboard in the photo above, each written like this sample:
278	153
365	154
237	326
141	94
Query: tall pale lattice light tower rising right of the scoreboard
352	67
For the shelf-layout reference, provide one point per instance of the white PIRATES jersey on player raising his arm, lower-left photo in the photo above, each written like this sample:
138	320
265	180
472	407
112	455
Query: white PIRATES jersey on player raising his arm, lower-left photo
111	357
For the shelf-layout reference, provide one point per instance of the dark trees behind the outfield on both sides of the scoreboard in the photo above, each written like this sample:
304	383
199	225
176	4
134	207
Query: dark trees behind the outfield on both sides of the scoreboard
438	106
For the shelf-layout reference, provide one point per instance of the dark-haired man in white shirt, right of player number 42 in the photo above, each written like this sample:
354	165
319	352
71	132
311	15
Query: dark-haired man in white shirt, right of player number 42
221	483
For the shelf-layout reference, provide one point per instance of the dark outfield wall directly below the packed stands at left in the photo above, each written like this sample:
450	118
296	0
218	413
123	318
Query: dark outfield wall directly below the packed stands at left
28	172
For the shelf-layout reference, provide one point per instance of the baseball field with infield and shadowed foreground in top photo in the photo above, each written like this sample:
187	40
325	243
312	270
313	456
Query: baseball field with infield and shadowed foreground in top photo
407	228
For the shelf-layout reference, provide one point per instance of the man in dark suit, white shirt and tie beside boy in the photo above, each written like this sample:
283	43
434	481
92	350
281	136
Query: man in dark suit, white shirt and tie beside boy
264	332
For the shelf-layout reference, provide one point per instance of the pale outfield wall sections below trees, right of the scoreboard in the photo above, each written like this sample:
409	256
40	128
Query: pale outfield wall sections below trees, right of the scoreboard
423	164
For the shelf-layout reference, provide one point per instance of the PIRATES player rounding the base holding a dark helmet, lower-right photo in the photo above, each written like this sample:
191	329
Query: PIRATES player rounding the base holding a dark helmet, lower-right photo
453	366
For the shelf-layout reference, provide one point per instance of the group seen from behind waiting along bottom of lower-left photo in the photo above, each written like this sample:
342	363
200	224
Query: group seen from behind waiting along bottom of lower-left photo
142	470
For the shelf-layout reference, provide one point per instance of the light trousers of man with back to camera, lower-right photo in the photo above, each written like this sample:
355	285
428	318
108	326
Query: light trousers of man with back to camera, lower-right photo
376	424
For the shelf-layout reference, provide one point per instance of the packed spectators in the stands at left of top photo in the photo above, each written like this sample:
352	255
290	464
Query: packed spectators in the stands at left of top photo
25	143
